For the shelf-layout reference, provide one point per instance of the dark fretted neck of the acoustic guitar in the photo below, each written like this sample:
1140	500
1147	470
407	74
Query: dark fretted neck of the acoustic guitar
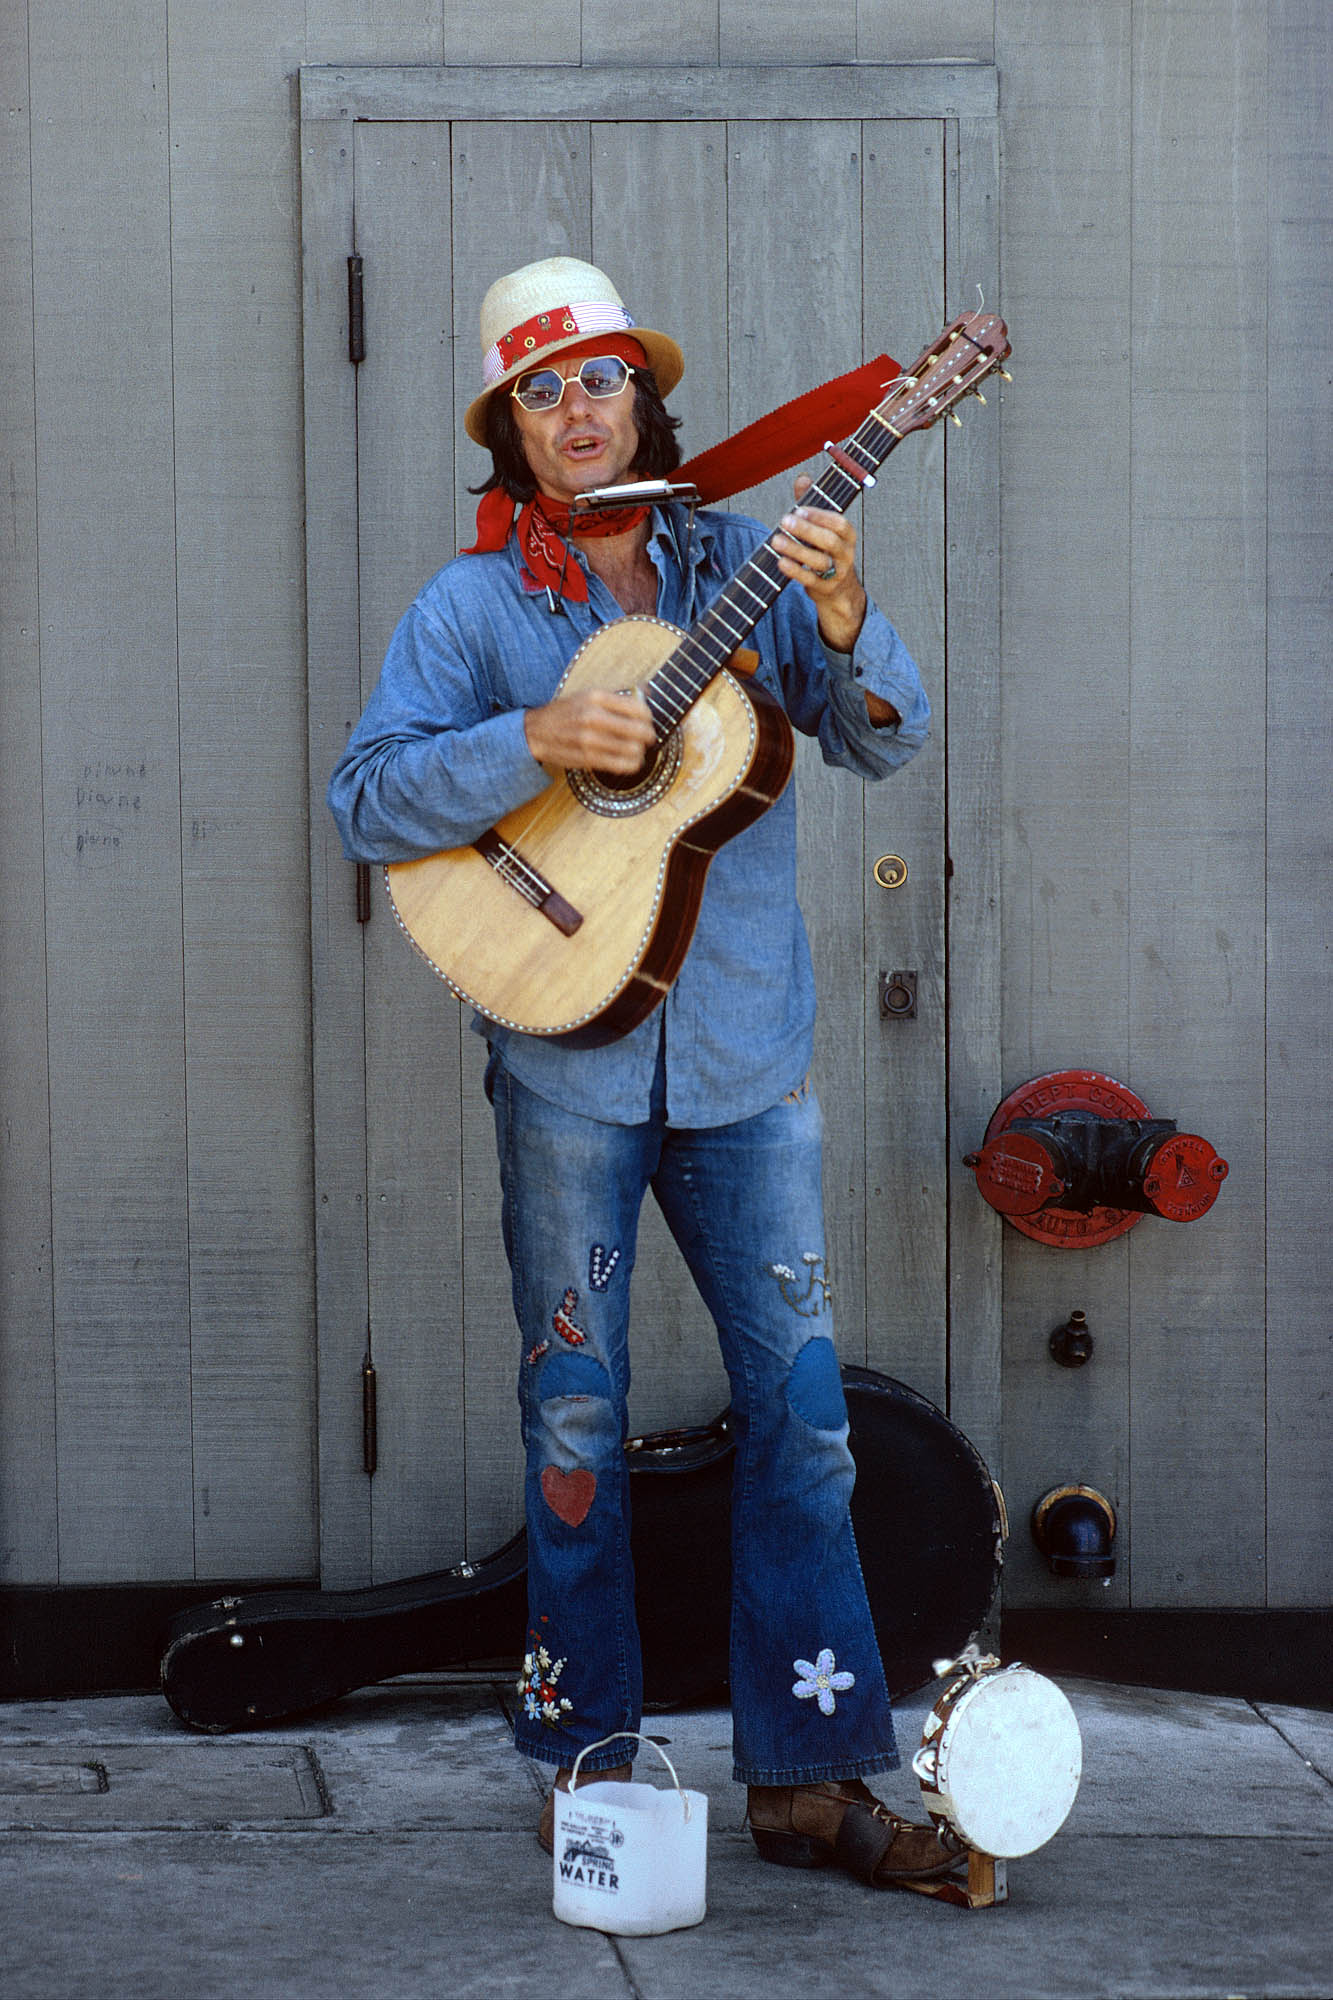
758	585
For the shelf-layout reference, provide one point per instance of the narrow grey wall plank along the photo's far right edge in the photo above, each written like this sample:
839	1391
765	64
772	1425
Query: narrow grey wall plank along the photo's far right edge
1300	1023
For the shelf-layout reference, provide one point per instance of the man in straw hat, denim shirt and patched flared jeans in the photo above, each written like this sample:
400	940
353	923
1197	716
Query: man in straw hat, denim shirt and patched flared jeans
708	1101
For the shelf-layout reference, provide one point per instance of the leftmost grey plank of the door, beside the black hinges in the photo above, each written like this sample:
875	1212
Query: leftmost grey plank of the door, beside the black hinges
405	469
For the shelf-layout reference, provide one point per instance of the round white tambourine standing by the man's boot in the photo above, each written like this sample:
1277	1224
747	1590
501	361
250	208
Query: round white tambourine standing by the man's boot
1000	1757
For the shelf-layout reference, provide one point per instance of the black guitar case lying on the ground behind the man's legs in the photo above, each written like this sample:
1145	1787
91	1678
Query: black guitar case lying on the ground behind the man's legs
930	1529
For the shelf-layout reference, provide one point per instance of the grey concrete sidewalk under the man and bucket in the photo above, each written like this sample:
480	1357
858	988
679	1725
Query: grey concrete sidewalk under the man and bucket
387	1847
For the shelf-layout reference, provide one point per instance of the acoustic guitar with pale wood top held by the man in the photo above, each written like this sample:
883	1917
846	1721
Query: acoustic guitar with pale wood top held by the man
573	915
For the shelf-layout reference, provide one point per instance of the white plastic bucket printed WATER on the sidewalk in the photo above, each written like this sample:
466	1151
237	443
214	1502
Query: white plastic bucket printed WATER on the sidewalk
627	1857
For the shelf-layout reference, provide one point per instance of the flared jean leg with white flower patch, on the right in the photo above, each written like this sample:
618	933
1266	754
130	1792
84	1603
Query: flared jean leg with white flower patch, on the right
808	1685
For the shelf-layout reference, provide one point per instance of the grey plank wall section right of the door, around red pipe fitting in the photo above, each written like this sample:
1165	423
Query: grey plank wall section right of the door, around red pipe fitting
1162	257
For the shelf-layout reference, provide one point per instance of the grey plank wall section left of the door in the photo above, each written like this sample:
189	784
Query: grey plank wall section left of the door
157	1315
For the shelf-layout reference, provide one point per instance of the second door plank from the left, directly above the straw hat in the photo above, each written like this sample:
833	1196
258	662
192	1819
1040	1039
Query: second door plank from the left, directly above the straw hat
521	193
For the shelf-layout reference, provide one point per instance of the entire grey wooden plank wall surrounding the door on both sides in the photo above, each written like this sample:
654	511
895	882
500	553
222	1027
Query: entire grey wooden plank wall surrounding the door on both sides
1162	745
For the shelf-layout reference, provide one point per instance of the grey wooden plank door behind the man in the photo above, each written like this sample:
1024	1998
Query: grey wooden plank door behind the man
770	291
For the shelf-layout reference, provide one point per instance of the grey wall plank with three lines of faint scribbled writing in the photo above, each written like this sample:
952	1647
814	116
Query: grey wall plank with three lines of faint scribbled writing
113	791
